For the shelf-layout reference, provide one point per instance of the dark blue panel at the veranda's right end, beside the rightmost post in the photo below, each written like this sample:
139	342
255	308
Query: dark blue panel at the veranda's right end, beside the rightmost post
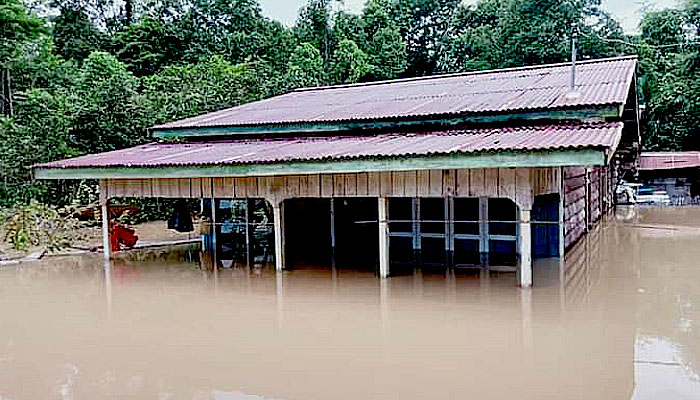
545	226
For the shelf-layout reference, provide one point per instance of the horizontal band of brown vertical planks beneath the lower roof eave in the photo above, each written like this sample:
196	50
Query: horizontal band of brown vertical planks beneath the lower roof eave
520	184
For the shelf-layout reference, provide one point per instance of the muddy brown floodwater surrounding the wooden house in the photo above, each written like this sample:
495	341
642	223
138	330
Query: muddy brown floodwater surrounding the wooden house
618	322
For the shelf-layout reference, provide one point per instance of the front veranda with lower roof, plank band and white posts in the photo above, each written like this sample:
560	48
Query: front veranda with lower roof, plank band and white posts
472	208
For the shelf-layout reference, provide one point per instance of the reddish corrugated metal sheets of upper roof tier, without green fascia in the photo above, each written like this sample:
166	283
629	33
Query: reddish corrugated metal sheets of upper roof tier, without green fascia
599	82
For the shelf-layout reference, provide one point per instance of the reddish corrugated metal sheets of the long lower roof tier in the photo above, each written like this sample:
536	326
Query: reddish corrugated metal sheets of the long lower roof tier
271	150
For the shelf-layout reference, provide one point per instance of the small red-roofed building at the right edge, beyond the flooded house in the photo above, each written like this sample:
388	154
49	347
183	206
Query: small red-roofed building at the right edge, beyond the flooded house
676	172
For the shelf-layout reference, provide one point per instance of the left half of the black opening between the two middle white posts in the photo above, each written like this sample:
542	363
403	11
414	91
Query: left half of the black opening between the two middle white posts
307	233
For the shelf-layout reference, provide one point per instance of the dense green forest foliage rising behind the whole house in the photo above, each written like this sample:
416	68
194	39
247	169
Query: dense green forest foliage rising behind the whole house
93	75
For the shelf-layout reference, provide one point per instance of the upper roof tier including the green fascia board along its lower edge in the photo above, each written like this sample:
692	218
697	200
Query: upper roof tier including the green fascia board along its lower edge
537	92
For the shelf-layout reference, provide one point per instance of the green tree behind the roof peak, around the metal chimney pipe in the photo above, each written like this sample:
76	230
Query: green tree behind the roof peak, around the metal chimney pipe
494	34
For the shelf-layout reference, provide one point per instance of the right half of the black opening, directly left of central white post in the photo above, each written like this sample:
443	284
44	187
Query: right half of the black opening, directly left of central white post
356	233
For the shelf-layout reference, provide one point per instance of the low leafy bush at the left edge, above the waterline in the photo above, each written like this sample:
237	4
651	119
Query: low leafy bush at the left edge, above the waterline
38	224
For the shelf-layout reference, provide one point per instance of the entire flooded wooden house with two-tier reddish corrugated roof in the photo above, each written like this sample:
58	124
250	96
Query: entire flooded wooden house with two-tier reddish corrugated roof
483	169
